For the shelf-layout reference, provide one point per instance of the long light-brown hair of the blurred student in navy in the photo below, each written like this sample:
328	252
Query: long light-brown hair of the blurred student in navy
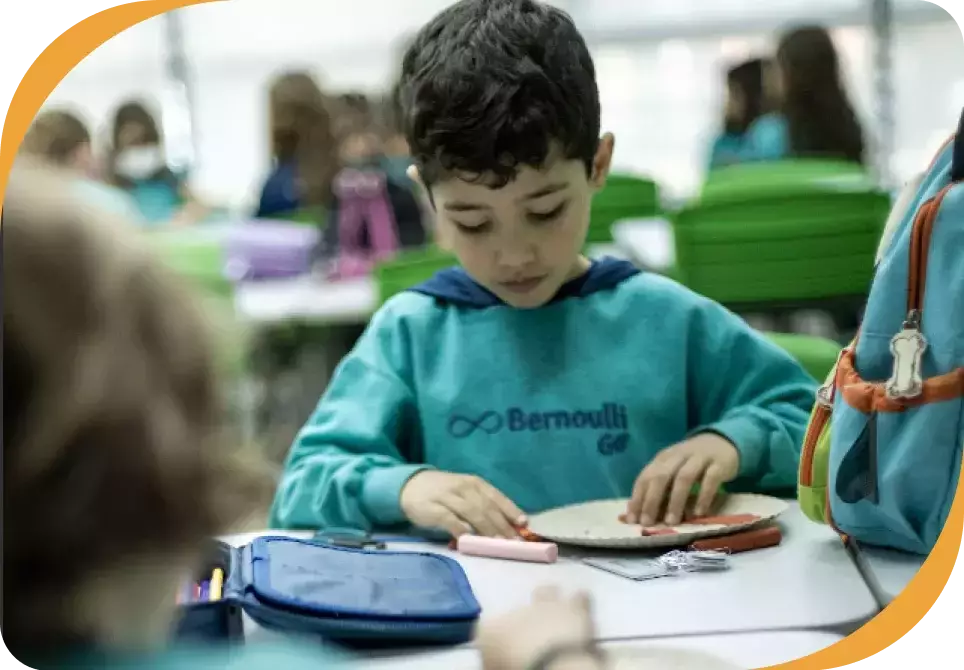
302	133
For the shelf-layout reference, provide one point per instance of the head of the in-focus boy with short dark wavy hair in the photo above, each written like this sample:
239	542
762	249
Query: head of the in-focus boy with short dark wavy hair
502	116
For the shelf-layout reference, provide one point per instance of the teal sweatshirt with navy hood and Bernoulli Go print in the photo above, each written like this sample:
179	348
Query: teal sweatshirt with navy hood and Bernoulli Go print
555	405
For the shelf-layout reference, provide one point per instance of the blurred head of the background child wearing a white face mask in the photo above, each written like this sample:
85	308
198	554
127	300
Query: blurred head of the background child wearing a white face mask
137	153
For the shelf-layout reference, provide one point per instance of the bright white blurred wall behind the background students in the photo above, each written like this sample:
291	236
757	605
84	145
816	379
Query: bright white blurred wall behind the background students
661	94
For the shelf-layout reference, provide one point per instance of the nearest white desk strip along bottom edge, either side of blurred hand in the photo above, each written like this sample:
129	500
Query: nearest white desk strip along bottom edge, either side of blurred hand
744	650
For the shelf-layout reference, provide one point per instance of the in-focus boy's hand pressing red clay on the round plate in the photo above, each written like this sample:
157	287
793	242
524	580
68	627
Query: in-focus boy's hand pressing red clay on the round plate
665	484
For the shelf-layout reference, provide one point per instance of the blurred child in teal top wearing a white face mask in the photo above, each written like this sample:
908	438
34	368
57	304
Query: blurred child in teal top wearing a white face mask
137	164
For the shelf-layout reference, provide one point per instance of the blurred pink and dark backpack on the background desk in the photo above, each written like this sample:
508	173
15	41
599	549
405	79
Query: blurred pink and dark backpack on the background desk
371	219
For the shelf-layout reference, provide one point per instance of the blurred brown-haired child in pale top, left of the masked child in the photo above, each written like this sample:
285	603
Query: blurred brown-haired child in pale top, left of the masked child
61	139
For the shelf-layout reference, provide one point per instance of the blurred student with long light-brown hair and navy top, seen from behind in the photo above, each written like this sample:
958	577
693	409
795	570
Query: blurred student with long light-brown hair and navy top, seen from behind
303	148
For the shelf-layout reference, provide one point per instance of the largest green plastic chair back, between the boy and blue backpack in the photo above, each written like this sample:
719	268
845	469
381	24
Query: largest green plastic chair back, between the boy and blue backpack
793	234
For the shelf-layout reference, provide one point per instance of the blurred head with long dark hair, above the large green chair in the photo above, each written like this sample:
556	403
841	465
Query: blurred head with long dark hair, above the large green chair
806	84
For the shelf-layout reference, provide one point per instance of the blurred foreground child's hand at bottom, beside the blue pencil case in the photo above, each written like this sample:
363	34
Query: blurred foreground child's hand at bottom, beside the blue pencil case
516	640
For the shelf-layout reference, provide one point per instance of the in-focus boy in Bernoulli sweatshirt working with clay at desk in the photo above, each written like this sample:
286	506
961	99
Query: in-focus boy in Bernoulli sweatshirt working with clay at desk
531	377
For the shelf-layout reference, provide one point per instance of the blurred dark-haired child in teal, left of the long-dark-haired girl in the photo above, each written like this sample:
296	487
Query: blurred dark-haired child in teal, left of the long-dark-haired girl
744	105
